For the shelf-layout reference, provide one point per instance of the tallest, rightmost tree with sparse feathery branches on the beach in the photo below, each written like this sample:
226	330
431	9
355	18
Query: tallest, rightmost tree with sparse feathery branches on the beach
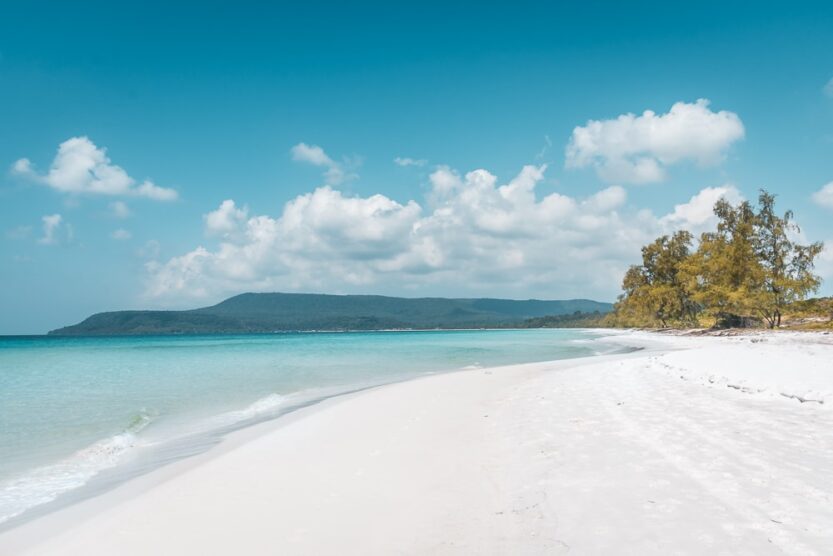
787	268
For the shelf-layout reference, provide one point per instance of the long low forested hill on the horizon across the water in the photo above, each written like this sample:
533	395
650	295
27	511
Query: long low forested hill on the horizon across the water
276	312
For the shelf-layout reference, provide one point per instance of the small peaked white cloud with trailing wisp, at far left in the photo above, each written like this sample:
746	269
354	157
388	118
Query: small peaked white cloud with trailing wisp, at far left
80	167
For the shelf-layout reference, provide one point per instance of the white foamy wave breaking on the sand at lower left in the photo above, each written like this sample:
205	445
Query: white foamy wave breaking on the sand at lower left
45	484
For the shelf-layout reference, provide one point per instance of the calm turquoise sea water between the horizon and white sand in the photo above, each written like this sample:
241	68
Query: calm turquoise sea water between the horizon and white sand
71	408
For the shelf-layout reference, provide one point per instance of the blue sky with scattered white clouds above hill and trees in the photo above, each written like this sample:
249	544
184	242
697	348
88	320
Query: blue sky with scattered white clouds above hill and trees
169	156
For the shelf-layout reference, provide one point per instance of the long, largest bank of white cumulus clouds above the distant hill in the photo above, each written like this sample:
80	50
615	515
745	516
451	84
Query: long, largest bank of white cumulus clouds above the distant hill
474	235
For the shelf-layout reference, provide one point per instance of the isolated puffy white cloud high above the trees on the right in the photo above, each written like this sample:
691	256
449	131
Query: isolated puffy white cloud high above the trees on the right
638	149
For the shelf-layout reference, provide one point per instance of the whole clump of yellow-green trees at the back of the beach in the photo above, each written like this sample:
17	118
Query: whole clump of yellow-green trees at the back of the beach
749	270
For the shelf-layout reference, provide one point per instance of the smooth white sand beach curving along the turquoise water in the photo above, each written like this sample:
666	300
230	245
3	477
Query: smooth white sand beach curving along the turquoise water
695	445
